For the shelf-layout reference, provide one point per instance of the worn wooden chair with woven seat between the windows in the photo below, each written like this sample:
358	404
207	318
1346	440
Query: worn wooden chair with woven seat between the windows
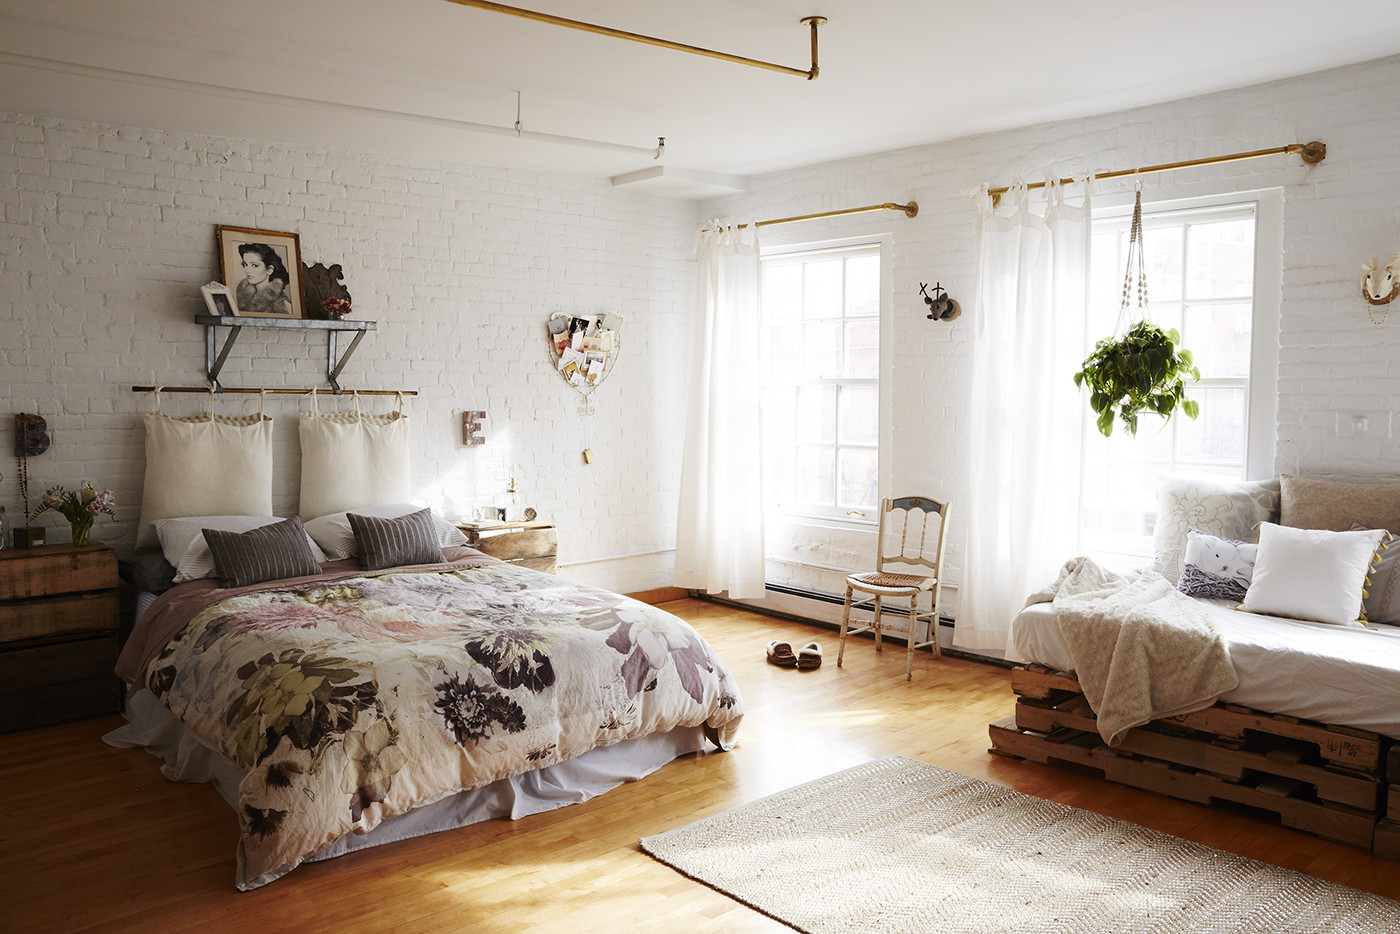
905	527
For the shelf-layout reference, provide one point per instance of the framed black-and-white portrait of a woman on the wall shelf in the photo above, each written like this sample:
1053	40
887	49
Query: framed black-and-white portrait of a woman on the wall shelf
262	270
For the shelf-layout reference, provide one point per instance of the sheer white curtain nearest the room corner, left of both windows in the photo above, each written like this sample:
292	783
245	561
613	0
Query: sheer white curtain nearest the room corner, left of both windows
720	522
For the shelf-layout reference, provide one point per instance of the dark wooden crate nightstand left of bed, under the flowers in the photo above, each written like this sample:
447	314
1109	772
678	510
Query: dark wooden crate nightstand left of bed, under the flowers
58	635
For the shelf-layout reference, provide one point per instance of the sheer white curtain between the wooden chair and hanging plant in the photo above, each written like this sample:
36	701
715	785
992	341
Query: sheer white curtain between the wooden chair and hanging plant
1025	411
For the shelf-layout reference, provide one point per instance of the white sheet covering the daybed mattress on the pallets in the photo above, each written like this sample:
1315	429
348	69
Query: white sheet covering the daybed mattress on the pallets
1333	674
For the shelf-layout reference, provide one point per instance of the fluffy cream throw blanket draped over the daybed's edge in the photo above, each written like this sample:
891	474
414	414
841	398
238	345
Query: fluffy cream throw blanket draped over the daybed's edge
1142	649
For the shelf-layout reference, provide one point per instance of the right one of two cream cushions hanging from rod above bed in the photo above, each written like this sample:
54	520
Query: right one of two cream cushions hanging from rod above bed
352	460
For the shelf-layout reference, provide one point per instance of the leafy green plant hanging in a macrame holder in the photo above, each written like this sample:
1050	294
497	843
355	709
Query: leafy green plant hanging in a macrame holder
1143	372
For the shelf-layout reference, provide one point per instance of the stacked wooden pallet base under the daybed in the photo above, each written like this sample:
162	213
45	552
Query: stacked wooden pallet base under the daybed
1324	779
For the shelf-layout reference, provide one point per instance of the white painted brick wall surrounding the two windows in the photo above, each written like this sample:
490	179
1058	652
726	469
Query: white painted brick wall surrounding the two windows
1332	359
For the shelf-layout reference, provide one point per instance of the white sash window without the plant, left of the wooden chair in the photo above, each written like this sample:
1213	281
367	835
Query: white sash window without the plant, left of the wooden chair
821	382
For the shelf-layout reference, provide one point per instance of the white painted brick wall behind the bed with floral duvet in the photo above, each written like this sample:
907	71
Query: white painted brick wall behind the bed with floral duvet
108	233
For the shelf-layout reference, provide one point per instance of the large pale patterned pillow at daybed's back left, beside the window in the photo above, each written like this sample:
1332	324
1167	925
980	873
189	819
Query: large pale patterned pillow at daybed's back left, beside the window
1226	510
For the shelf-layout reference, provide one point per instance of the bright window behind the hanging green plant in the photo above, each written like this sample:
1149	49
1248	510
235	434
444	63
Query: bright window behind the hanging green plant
1213	274
